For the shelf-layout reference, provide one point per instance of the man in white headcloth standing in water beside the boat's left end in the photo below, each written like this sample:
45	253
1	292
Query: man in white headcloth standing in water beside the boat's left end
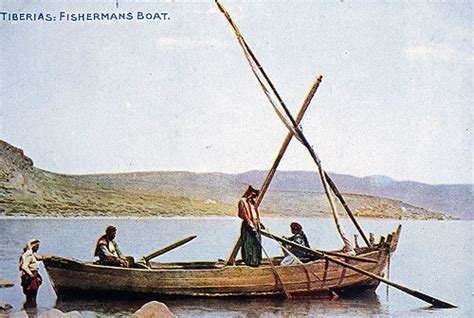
30	278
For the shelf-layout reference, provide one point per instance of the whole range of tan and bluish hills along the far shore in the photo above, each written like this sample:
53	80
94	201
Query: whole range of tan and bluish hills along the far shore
27	190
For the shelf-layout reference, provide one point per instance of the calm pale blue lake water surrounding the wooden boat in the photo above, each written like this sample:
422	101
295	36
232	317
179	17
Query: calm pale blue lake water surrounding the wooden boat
433	256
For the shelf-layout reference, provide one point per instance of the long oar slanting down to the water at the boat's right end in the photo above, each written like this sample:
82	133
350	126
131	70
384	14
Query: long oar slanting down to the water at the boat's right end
425	297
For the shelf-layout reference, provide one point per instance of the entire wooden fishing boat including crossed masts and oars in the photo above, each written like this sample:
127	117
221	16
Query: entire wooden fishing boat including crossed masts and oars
330	272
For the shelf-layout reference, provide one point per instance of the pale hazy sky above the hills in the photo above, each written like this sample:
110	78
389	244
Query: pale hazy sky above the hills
131	95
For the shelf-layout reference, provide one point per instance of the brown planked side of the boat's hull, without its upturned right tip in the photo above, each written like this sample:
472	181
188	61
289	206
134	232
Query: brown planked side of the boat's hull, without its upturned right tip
70	276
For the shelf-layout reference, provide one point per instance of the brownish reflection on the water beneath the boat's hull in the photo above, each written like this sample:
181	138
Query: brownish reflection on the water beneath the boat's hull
366	304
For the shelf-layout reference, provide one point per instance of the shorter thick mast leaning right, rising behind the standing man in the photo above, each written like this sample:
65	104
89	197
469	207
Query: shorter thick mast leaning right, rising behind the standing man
271	172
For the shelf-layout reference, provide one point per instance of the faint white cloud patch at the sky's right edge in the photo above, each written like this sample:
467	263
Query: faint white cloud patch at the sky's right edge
439	53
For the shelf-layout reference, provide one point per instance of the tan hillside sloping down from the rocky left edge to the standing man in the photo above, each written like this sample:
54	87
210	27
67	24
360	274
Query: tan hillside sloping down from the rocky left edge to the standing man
29	191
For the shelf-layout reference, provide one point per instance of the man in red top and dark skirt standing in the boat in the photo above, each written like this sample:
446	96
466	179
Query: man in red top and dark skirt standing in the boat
250	229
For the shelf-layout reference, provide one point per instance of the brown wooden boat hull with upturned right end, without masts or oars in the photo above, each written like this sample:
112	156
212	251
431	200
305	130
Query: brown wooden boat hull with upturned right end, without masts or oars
73	278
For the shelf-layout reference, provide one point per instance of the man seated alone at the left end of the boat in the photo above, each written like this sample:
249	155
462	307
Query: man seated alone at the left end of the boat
108	252
